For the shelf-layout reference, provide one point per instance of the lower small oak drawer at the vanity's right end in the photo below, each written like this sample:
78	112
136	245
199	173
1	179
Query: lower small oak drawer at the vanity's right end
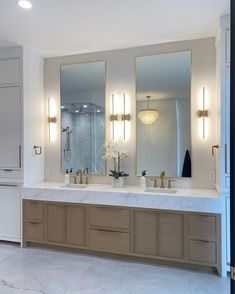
202	251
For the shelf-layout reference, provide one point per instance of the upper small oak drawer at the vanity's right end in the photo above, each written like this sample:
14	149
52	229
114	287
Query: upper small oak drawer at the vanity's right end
202	226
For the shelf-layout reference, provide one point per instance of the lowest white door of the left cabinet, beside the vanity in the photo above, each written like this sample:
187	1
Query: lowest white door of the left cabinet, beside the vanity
10	213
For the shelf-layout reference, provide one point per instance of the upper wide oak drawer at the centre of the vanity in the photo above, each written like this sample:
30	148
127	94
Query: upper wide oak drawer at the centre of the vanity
110	217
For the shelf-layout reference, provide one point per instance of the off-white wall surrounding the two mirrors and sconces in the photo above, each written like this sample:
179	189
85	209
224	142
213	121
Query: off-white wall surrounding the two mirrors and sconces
120	77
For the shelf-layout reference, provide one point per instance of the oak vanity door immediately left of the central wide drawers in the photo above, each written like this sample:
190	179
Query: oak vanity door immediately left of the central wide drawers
75	225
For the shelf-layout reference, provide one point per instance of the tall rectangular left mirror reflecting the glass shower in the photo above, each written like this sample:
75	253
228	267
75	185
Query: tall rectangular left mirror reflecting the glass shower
83	117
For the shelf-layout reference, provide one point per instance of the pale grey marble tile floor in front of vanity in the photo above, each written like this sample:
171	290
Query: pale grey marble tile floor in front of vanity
48	271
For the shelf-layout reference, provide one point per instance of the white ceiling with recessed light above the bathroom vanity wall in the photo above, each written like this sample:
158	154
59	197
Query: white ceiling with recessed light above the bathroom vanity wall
63	27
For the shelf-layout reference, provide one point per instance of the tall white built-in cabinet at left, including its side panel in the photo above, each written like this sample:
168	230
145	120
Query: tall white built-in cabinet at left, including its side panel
21	128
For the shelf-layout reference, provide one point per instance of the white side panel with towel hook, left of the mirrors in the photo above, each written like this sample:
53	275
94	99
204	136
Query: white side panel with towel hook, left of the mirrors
33	108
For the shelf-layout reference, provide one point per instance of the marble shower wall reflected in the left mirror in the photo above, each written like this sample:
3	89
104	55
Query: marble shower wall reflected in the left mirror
86	141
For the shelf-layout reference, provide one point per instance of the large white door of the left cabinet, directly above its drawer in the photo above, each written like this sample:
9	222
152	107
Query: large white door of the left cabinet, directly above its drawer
10	127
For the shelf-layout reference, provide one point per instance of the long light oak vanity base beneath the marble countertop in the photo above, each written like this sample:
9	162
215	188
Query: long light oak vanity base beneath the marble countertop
192	238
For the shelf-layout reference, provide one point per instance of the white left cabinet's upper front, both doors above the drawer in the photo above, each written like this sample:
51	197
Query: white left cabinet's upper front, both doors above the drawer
10	113
